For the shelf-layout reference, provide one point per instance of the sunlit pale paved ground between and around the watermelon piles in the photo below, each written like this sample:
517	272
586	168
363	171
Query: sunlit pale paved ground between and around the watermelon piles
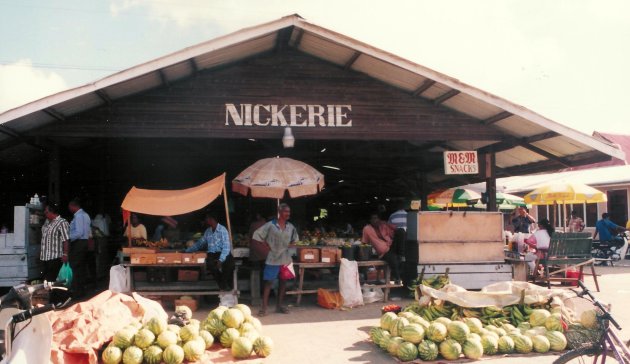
310	334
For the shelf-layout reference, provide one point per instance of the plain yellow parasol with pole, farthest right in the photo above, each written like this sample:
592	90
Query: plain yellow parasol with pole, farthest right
565	193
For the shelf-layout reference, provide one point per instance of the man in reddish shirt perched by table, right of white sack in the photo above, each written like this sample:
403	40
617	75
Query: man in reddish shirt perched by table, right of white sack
380	235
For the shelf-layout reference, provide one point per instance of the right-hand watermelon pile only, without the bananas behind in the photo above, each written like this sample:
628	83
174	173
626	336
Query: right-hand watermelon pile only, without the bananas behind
409	336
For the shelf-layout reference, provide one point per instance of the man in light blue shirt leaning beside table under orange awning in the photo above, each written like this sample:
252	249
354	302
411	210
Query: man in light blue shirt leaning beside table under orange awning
219	261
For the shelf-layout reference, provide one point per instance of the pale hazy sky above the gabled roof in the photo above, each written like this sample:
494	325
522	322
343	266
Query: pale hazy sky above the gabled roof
565	59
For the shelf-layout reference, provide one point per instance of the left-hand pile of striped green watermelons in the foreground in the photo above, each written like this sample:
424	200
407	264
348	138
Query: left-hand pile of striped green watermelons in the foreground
187	339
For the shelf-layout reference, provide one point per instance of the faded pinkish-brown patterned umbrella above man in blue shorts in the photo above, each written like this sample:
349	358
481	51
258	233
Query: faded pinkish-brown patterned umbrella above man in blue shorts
273	177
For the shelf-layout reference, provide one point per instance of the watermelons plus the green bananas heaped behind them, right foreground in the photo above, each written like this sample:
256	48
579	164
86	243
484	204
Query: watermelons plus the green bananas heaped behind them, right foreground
452	332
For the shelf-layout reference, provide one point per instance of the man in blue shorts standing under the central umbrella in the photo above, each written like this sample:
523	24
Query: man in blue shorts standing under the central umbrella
278	234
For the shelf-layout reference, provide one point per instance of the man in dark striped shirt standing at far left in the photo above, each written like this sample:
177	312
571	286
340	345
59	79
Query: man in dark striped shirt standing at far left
54	247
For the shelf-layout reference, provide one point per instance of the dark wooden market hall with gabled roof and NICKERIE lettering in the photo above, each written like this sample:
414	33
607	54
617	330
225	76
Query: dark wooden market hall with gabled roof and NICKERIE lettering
375	124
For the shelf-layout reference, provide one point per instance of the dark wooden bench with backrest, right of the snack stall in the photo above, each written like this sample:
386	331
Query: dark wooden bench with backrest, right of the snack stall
569	251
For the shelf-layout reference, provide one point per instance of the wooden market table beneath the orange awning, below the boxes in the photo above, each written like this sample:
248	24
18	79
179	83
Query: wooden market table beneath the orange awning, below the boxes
176	288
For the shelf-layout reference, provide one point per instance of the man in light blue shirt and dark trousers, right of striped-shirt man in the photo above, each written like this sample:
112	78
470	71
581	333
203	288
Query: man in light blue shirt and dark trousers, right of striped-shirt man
80	230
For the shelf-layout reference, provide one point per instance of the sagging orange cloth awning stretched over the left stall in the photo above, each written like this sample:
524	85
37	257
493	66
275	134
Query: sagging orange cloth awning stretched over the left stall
173	202
